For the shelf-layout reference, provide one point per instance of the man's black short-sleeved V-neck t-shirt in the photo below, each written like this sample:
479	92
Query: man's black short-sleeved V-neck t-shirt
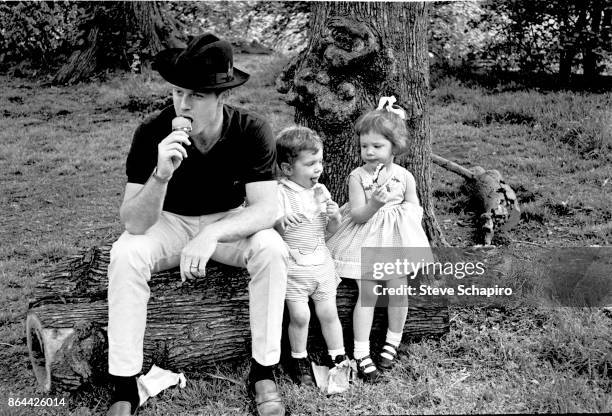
214	182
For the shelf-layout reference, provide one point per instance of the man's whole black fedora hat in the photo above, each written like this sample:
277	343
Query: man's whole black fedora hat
206	64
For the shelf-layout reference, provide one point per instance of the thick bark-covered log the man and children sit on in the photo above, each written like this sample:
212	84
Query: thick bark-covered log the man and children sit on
192	326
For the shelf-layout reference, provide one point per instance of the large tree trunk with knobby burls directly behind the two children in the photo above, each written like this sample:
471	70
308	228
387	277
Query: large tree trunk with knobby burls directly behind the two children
358	52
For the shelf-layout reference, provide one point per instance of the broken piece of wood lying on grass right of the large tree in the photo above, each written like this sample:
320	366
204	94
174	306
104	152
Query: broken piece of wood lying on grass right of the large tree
497	201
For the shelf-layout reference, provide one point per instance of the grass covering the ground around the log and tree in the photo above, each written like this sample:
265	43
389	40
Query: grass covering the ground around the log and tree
62	165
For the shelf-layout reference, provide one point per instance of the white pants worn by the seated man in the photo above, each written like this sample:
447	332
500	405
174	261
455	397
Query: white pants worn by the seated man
134	258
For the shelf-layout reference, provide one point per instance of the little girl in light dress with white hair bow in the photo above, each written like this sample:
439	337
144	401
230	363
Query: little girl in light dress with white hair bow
383	211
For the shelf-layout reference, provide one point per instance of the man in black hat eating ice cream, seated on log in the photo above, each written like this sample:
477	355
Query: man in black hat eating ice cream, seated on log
183	205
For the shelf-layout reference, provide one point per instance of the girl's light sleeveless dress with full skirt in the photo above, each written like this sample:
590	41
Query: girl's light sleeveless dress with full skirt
395	224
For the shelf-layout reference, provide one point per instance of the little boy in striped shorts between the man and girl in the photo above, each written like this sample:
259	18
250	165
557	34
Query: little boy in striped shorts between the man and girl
308	214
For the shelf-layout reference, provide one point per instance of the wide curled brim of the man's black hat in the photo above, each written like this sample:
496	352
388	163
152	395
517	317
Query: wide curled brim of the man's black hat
164	64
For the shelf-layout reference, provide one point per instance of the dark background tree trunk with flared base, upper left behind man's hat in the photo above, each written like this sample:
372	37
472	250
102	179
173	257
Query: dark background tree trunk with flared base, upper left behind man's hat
114	31
